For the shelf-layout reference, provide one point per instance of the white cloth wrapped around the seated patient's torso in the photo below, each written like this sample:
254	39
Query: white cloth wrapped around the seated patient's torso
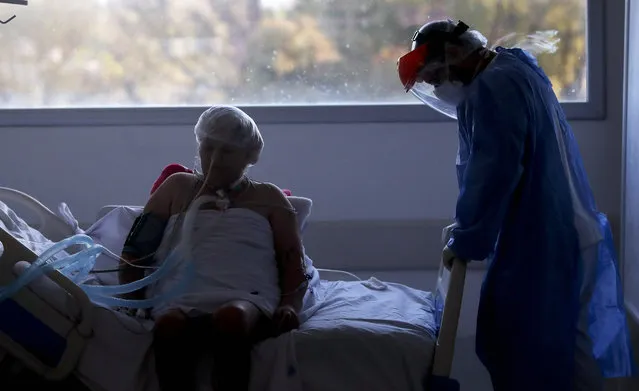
234	258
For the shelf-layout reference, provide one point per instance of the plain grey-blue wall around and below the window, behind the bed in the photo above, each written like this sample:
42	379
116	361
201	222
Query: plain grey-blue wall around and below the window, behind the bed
381	192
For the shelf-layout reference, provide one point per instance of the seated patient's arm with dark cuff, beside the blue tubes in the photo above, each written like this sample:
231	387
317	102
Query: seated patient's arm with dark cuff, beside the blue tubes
159	207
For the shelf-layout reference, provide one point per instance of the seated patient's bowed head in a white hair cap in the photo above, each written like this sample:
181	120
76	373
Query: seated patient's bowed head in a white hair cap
228	143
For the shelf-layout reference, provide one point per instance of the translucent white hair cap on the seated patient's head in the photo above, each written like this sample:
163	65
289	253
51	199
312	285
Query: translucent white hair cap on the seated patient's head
232	126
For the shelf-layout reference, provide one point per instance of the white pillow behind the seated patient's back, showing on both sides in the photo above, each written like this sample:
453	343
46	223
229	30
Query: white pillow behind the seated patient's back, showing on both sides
113	227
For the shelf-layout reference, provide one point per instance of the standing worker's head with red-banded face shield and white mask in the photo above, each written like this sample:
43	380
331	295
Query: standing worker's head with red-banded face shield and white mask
445	57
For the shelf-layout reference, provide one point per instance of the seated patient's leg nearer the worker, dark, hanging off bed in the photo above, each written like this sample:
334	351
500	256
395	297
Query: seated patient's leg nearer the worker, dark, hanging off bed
238	325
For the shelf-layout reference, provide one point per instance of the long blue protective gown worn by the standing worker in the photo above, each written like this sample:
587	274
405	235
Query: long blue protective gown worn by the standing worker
526	206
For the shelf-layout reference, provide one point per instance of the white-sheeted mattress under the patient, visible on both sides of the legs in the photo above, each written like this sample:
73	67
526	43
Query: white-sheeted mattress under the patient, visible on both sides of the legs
360	335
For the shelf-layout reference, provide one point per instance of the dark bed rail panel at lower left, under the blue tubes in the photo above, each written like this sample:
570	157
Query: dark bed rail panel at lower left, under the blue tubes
45	338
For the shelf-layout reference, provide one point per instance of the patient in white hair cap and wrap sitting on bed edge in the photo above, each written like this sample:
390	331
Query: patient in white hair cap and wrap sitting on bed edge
249	281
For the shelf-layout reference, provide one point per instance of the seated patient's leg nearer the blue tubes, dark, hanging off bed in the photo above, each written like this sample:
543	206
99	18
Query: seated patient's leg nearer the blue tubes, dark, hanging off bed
175	353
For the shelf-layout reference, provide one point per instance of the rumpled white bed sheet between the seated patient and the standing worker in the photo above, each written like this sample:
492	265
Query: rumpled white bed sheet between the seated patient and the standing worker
359	339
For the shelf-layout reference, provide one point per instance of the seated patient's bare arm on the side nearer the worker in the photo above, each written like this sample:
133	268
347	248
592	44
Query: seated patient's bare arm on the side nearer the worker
288	250
